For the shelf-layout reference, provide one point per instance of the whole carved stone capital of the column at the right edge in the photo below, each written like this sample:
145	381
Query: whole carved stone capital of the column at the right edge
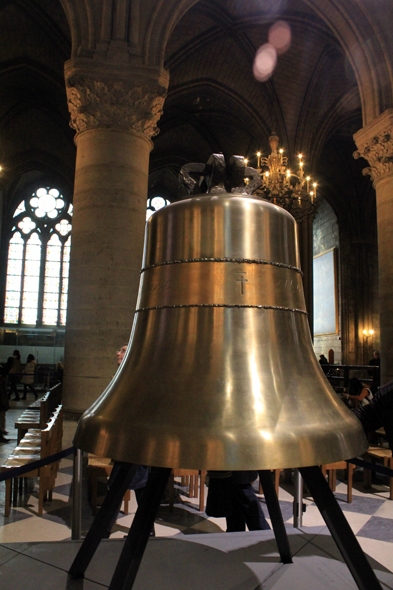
375	144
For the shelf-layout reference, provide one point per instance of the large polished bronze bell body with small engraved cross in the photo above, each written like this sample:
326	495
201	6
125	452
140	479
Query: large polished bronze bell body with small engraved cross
221	373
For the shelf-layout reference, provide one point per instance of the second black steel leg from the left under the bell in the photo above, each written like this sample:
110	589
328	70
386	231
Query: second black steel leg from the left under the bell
138	536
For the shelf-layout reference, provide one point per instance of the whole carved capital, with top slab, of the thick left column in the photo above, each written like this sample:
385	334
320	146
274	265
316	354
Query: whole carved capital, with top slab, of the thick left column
129	99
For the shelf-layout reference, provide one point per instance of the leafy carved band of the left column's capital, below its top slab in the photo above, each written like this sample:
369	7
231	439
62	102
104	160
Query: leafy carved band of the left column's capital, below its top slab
116	104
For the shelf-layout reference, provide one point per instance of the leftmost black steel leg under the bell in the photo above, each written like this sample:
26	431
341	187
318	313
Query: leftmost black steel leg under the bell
102	520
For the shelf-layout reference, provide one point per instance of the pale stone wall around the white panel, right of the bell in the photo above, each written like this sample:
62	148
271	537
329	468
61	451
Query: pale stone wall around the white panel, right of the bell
326	237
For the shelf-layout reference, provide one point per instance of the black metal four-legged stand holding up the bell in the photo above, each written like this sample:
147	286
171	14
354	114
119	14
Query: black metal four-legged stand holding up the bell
135	544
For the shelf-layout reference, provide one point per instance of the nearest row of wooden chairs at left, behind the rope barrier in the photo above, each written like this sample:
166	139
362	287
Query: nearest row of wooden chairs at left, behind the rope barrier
36	444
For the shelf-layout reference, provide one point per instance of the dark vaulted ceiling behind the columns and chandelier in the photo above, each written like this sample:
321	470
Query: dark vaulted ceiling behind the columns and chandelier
214	102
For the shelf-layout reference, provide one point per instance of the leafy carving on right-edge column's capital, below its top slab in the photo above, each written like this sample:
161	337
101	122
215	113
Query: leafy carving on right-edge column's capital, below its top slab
379	153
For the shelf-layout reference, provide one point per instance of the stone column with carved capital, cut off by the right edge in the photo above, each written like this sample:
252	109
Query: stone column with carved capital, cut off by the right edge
375	143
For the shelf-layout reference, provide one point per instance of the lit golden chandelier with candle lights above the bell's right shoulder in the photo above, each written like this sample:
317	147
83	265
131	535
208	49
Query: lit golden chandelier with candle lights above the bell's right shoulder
284	188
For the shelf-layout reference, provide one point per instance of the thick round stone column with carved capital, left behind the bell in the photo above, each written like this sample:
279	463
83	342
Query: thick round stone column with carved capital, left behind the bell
114	112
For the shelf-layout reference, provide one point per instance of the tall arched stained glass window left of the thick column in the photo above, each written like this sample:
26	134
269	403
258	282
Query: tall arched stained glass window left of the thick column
38	260
